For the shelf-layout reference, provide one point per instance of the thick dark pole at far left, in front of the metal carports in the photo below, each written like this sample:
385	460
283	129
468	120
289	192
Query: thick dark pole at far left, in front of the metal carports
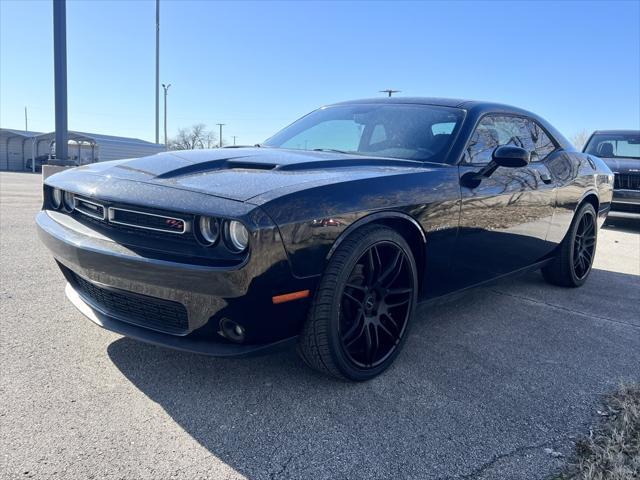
60	78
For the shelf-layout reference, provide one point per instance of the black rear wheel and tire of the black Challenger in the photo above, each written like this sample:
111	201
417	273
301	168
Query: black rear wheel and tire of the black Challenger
572	266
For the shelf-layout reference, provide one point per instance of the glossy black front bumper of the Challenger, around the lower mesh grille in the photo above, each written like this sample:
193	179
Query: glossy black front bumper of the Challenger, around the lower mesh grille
208	293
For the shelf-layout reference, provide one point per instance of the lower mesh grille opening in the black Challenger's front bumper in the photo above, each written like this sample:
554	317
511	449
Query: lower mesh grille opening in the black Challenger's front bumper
141	310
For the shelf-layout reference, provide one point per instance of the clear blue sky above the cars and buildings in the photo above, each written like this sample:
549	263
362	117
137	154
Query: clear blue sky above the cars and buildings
258	66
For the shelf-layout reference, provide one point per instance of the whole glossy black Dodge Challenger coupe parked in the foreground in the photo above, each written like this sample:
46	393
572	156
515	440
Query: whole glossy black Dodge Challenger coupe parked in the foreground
328	233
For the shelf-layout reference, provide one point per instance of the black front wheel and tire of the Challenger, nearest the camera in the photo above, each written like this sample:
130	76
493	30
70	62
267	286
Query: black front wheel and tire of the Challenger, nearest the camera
361	312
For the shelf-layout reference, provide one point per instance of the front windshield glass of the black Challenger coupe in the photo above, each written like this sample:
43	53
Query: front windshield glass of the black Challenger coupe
415	132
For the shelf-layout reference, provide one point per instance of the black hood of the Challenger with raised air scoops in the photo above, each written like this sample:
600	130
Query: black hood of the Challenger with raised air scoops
244	173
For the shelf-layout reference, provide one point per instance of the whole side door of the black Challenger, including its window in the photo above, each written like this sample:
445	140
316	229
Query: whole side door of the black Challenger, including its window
504	221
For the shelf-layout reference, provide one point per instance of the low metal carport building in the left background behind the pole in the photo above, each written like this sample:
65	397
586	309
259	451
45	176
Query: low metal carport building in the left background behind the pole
18	146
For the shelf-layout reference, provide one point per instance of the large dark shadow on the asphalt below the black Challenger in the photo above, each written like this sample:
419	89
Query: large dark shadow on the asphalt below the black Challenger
493	375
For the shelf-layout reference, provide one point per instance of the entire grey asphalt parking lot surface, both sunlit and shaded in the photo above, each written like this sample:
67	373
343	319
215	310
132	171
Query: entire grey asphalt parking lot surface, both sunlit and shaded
485	383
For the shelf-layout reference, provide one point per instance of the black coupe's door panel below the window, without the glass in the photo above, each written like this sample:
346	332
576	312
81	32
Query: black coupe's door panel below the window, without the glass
504	223
